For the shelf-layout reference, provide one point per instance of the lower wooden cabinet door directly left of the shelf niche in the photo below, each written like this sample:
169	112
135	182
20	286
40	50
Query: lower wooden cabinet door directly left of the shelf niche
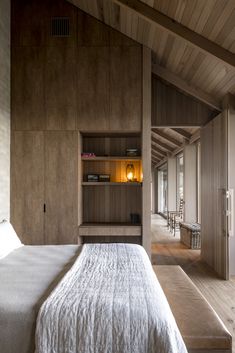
61	187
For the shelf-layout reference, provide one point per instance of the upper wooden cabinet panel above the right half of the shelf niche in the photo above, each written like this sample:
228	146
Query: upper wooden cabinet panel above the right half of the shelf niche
125	88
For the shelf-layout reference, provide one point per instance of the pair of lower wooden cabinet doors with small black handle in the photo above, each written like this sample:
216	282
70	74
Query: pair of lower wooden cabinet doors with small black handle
44	186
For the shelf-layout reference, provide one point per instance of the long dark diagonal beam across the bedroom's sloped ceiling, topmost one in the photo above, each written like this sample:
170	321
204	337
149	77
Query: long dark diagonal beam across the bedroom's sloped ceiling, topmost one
168	24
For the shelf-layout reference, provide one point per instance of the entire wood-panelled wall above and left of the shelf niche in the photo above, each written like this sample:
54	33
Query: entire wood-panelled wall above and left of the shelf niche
88	81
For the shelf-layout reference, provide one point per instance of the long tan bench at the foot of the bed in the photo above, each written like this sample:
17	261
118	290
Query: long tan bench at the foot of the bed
200	326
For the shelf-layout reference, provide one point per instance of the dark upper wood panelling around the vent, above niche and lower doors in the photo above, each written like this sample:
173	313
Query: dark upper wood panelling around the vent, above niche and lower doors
90	80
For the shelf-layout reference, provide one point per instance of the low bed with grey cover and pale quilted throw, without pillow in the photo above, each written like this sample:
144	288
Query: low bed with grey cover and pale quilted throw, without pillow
99	298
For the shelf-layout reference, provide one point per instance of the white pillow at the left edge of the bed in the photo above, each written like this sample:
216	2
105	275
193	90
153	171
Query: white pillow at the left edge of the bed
9	240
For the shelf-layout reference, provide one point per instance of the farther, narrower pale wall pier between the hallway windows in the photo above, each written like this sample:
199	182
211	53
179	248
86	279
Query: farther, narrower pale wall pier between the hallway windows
171	184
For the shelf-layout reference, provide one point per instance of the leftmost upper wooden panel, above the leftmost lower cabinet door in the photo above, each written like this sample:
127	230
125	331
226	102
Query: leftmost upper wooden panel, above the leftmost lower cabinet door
27	95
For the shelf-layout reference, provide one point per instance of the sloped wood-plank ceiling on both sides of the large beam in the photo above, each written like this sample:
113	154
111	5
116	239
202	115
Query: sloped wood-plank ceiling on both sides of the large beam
212	19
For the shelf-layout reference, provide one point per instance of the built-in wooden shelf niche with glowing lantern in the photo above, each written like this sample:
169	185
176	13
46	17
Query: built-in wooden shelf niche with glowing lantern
108	204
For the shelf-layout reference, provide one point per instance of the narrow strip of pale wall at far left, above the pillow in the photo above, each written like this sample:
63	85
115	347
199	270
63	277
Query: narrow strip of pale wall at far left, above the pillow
4	109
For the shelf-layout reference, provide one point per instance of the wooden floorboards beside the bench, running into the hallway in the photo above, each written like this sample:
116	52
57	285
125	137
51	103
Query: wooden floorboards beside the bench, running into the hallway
167	250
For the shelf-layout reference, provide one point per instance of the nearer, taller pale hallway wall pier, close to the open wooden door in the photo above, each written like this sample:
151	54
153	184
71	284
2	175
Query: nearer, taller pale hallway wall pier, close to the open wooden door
190	183
